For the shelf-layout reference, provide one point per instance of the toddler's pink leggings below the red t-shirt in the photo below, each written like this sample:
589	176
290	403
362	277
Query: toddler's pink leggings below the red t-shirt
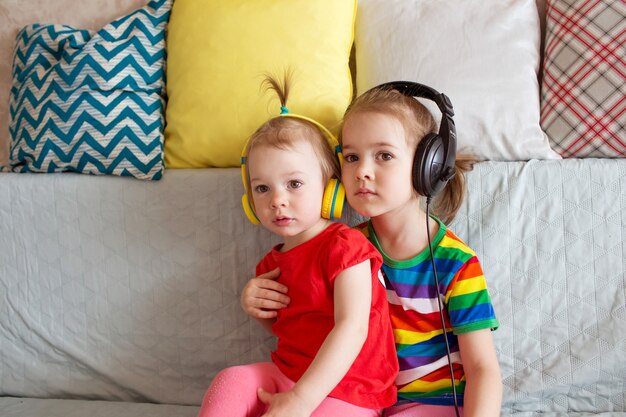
233	393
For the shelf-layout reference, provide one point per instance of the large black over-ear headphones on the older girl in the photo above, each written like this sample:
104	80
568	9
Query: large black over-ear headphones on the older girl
433	163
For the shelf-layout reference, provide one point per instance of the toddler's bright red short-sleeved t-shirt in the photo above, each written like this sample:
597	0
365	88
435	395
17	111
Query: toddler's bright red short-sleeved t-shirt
309	271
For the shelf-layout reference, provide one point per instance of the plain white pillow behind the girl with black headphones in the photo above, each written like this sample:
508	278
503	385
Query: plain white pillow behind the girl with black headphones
484	55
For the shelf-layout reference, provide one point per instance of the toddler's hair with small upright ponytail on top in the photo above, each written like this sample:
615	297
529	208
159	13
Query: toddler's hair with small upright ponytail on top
282	132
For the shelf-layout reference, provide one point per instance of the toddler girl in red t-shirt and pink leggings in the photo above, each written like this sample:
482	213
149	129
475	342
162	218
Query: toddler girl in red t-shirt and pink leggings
335	354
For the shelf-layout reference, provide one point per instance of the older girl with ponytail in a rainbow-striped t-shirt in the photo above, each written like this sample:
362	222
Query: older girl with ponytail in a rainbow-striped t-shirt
381	132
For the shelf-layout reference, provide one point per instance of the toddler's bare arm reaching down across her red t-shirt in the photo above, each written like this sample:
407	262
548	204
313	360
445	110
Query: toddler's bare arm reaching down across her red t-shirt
352	301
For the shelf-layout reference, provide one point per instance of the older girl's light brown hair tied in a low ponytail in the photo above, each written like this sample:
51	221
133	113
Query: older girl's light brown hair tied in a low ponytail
417	122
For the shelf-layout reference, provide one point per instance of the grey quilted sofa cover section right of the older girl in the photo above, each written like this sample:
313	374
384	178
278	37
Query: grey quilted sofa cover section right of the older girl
551	236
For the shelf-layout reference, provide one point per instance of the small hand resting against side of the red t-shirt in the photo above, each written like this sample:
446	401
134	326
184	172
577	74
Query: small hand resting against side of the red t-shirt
263	296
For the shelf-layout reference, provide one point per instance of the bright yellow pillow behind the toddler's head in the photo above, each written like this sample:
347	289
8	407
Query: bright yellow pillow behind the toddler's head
217	54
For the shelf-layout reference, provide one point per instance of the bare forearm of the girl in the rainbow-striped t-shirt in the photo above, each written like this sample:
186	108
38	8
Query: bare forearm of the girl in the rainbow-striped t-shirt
483	389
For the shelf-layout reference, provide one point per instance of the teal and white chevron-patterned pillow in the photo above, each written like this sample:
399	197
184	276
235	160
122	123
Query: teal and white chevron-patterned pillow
91	102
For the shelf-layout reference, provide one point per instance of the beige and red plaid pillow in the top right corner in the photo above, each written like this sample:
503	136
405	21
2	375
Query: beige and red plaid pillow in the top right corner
583	110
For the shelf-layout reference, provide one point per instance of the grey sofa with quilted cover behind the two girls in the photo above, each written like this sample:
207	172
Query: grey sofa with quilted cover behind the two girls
120	297
